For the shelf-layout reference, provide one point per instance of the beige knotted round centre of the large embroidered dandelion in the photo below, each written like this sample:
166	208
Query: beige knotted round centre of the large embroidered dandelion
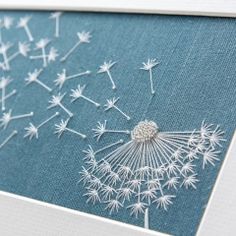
144	131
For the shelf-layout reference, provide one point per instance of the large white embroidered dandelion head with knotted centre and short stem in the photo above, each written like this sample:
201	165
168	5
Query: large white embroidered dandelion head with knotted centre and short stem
149	168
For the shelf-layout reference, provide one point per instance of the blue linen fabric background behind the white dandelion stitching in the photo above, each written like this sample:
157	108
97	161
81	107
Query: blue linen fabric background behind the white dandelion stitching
194	81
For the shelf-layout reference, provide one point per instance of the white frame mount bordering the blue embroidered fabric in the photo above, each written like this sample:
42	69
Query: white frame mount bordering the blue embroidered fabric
24	216
